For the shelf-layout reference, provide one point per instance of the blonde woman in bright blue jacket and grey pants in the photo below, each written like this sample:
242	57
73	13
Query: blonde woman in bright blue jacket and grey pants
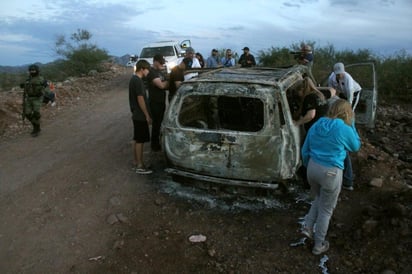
323	154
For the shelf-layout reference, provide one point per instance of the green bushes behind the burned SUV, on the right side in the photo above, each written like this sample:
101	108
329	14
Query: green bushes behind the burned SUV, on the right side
394	79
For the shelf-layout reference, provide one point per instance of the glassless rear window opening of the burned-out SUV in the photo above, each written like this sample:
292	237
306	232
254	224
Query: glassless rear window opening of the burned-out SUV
222	112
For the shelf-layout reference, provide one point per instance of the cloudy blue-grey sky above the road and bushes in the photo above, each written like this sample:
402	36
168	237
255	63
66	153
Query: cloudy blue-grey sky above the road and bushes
28	28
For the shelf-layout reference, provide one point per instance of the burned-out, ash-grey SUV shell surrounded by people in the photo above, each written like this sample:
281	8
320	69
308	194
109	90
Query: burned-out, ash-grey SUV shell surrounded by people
234	126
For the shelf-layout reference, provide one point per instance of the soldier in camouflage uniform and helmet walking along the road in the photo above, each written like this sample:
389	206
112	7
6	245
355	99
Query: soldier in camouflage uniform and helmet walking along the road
34	88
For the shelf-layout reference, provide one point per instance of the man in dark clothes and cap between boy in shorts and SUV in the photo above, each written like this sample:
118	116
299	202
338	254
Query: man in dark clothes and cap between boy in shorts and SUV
157	86
